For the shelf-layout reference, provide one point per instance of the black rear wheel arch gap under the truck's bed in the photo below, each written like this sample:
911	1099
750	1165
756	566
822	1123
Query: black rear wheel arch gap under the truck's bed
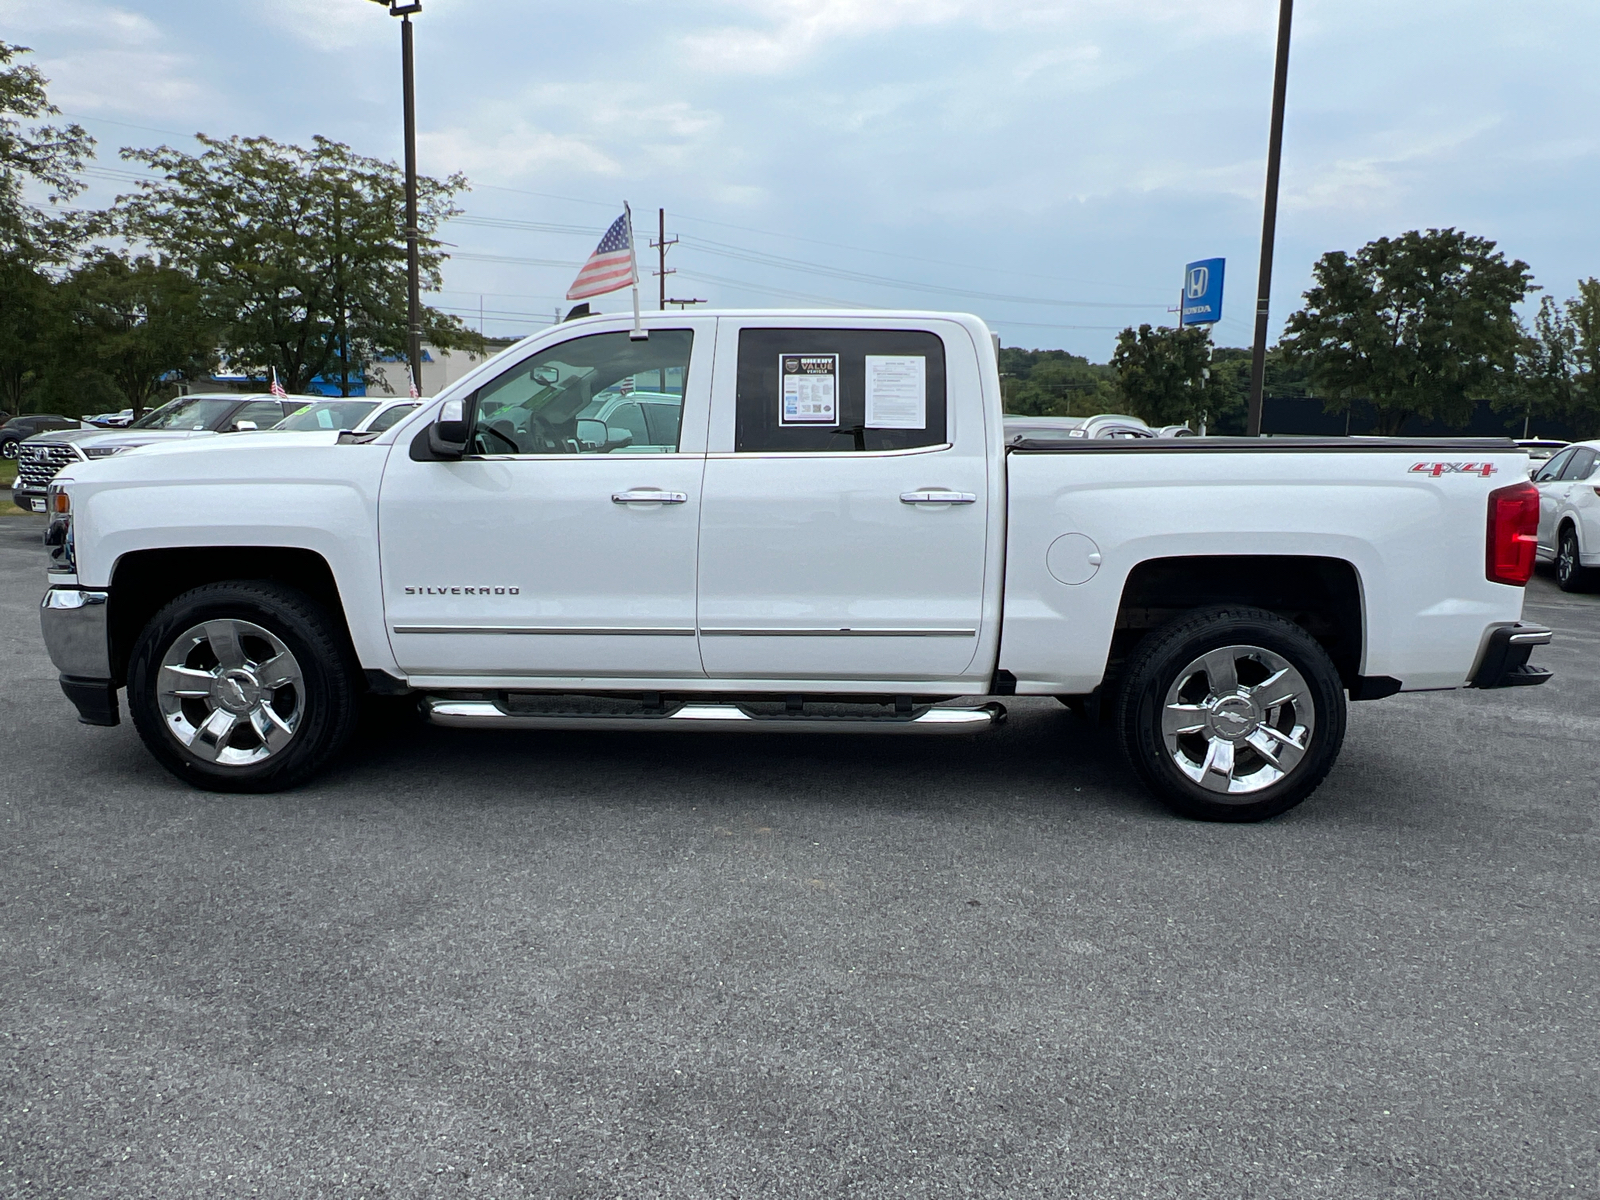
1324	596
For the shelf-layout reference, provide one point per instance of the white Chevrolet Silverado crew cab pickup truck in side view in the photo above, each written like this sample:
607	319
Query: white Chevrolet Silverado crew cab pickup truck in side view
783	522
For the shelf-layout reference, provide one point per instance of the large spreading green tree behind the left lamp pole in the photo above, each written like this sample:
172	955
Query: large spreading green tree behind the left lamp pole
302	254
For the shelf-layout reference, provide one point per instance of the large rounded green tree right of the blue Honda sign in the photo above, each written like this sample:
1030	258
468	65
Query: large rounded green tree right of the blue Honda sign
1420	326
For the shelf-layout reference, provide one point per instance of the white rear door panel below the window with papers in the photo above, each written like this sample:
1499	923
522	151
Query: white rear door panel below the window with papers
815	569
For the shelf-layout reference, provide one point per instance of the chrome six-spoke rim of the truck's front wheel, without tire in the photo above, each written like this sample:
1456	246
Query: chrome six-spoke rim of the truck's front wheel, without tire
231	692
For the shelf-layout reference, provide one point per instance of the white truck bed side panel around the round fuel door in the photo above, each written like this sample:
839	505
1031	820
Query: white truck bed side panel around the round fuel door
1417	545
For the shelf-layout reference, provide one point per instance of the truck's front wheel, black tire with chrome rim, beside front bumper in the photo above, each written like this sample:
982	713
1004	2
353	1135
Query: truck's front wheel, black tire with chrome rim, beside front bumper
319	708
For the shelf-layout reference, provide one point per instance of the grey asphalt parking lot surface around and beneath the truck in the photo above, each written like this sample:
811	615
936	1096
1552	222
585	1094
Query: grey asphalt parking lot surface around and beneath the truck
598	966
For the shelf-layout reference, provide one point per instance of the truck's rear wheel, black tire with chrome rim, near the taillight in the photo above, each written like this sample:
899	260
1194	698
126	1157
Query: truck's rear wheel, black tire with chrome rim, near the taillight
1306	727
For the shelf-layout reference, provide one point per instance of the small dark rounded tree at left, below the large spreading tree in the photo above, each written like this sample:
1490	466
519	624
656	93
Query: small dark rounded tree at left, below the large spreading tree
137	324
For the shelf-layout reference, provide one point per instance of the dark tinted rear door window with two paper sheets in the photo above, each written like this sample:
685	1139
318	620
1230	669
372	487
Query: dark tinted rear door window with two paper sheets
839	391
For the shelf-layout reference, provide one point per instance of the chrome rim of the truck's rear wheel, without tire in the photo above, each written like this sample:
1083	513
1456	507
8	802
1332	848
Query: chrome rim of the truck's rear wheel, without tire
1238	719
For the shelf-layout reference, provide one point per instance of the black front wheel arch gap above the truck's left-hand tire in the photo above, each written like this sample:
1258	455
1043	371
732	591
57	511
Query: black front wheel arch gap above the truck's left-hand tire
143	582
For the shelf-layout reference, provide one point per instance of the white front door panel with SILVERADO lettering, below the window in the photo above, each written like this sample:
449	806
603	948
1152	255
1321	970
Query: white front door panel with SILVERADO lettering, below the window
527	567
